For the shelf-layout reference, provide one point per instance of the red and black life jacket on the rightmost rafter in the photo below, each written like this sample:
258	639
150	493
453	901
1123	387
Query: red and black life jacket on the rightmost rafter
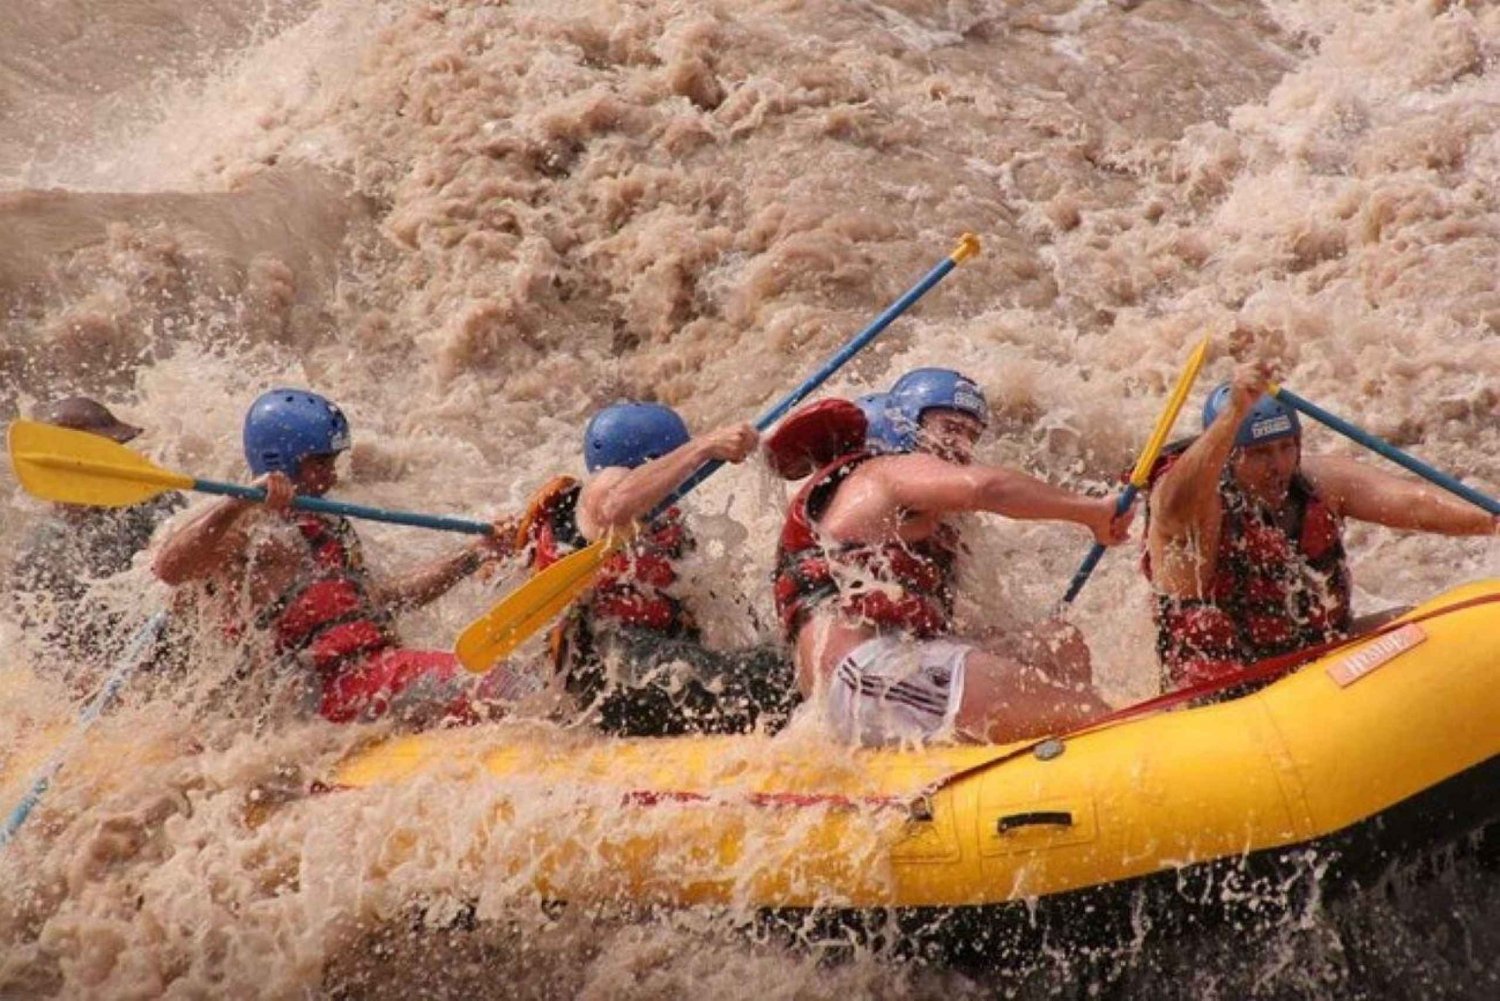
1282	585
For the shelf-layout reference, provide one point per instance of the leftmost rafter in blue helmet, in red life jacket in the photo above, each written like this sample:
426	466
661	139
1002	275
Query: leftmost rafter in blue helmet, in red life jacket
302	576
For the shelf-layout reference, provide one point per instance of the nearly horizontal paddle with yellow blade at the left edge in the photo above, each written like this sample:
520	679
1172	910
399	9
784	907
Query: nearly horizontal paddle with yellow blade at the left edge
76	467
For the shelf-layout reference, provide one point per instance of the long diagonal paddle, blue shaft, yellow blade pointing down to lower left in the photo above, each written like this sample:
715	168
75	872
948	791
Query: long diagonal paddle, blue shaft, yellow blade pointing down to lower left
541	600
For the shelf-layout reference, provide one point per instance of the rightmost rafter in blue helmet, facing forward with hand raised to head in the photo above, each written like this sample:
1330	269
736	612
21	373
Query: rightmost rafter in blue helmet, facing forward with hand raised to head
1246	540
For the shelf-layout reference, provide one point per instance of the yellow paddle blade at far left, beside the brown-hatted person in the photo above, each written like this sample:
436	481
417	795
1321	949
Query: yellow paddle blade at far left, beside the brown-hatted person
76	467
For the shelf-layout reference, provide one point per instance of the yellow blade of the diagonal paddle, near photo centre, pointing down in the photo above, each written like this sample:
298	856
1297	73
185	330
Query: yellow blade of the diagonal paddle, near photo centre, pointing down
532	607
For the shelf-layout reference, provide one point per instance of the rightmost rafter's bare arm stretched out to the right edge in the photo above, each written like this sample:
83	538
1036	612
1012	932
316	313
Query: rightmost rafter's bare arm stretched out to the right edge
1369	494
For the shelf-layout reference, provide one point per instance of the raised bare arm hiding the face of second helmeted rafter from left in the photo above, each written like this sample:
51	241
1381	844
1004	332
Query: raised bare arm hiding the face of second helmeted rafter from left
617	499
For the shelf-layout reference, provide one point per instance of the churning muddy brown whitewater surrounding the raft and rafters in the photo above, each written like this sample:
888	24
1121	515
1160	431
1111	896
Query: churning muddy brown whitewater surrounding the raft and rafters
473	224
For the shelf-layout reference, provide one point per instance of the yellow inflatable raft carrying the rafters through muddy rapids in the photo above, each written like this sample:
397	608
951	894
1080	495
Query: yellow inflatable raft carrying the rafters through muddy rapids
1381	748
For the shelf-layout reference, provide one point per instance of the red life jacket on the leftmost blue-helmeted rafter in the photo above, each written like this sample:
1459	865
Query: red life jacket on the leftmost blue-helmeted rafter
329	618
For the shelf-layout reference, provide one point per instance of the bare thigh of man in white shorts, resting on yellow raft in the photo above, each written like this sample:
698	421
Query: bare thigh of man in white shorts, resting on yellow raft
1004	700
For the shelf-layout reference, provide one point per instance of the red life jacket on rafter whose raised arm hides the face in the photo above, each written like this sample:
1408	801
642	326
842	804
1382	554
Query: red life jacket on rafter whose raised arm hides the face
632	586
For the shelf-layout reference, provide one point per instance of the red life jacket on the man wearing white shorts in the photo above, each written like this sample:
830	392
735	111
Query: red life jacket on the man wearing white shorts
895	585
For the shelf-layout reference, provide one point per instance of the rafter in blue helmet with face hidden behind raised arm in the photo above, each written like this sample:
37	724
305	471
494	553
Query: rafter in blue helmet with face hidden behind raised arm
616	648
